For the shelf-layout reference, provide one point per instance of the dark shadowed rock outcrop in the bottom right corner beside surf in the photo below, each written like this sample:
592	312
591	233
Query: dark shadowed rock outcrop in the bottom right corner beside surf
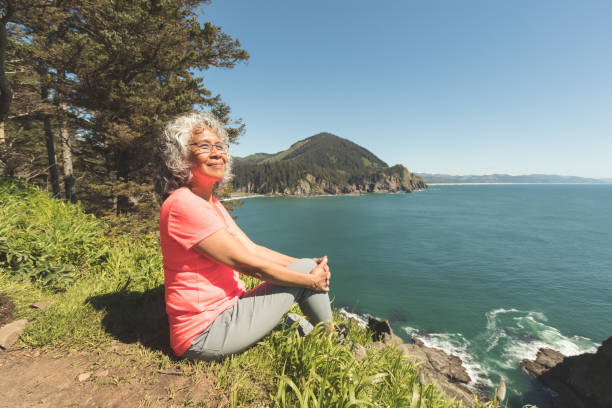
583	381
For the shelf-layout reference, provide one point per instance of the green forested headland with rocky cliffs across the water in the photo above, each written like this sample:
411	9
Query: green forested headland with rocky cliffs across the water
321	164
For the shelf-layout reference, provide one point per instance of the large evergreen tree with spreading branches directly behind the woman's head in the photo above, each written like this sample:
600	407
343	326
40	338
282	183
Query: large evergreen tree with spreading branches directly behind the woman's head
113	73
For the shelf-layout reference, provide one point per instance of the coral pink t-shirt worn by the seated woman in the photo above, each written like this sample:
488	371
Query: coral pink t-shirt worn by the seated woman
198	289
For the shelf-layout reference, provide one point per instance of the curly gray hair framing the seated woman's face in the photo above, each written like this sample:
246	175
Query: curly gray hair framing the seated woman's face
176	170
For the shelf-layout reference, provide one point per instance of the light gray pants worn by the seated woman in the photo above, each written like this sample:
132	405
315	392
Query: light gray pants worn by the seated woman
255	314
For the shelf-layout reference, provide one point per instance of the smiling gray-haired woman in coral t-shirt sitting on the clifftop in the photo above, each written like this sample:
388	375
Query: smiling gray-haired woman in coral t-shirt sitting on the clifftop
209	312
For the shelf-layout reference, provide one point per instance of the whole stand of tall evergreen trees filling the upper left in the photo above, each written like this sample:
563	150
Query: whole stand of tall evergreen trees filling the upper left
86	87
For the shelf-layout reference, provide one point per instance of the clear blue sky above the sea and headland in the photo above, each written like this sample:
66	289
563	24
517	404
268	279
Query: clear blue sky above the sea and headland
456	87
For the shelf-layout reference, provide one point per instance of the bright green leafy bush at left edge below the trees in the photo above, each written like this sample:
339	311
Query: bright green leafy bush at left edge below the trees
44	241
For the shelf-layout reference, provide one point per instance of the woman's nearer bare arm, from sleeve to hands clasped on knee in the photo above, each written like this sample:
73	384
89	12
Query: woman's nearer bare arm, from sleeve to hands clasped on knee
228	250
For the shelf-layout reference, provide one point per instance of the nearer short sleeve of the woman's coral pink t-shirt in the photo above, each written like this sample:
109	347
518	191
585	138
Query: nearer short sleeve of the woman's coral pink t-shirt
191	219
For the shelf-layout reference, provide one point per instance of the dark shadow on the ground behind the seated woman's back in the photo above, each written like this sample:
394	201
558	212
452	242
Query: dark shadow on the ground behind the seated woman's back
136	317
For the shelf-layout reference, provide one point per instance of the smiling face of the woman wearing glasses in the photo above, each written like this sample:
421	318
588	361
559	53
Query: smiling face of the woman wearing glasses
206	160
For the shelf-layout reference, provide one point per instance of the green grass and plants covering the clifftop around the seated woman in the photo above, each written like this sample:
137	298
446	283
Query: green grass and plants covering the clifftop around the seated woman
108	288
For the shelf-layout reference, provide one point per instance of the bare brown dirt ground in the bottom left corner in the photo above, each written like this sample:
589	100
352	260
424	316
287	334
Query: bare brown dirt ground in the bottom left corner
111	377
